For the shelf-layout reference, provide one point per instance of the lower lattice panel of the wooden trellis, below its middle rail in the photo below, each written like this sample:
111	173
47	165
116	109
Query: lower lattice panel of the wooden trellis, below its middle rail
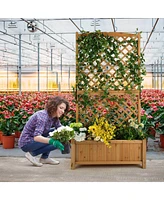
117	108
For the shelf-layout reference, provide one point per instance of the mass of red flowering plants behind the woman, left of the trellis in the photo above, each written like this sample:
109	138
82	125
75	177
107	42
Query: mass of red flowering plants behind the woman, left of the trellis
16	109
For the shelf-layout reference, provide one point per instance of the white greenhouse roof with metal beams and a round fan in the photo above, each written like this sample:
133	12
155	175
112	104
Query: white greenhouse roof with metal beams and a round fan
55	38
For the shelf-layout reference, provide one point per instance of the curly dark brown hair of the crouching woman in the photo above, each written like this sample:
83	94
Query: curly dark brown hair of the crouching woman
53	103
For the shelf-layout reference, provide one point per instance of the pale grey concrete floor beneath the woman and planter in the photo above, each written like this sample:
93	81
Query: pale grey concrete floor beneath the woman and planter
14	167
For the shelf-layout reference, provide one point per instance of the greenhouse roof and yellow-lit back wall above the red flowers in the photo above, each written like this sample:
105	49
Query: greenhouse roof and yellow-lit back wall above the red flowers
40	54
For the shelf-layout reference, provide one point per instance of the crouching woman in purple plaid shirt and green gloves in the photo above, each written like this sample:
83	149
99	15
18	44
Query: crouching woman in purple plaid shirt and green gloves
34	138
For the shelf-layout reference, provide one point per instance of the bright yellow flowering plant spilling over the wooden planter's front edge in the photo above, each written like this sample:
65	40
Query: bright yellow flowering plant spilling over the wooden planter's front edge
102	131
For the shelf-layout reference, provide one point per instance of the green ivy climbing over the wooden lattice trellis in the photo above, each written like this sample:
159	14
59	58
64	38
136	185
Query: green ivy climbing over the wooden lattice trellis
105	63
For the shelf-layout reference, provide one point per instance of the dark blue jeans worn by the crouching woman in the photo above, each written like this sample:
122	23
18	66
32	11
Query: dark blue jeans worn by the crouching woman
36	148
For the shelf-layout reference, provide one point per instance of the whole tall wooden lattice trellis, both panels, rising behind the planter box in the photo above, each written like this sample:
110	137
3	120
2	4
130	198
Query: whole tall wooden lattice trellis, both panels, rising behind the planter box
116	74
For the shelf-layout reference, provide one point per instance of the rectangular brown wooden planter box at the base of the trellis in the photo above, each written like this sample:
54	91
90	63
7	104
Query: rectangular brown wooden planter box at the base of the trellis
96	153
